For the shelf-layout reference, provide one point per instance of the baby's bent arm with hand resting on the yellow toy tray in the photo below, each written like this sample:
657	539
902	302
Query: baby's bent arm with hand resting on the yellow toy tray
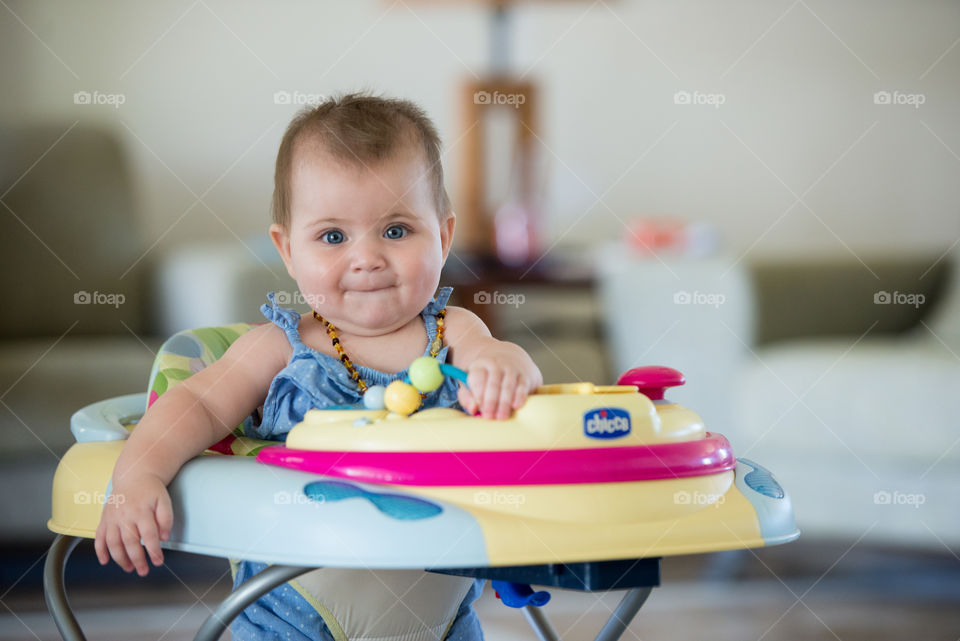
500	375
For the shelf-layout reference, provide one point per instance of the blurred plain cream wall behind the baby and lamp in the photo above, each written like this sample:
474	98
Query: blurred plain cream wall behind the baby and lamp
796	81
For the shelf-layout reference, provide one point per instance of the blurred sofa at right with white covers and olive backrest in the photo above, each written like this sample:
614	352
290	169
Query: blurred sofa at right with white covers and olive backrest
839	376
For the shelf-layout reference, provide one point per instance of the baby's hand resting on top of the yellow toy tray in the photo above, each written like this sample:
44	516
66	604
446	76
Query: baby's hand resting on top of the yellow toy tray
497	384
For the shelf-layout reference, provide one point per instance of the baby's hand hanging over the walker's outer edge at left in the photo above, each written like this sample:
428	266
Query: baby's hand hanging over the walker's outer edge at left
140	509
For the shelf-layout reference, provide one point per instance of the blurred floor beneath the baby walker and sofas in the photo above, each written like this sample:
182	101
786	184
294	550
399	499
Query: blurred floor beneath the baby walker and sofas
805	590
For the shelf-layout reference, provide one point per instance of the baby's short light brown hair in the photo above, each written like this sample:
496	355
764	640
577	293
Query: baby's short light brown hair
358	129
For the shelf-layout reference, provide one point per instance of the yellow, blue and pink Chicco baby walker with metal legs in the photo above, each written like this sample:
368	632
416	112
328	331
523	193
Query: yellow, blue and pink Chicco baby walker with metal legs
585	487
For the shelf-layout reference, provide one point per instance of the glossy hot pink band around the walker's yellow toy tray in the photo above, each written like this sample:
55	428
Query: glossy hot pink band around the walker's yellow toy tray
709	455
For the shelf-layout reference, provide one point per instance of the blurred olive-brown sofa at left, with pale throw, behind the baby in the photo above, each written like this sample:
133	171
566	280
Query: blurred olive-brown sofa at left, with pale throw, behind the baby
88	301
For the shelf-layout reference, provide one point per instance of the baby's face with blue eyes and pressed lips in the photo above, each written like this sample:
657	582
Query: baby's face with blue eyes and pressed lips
365	243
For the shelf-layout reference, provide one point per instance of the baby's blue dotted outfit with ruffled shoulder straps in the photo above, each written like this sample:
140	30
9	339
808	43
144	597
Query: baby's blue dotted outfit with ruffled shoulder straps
314	380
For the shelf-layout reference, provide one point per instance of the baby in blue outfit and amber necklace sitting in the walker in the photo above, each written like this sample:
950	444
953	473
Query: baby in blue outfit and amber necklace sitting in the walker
363	223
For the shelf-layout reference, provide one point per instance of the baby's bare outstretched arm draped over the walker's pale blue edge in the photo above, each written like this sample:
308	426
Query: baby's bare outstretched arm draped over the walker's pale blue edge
187	419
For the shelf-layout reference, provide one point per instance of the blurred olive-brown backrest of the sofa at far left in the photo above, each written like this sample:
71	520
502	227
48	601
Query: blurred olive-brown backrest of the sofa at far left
68	226
